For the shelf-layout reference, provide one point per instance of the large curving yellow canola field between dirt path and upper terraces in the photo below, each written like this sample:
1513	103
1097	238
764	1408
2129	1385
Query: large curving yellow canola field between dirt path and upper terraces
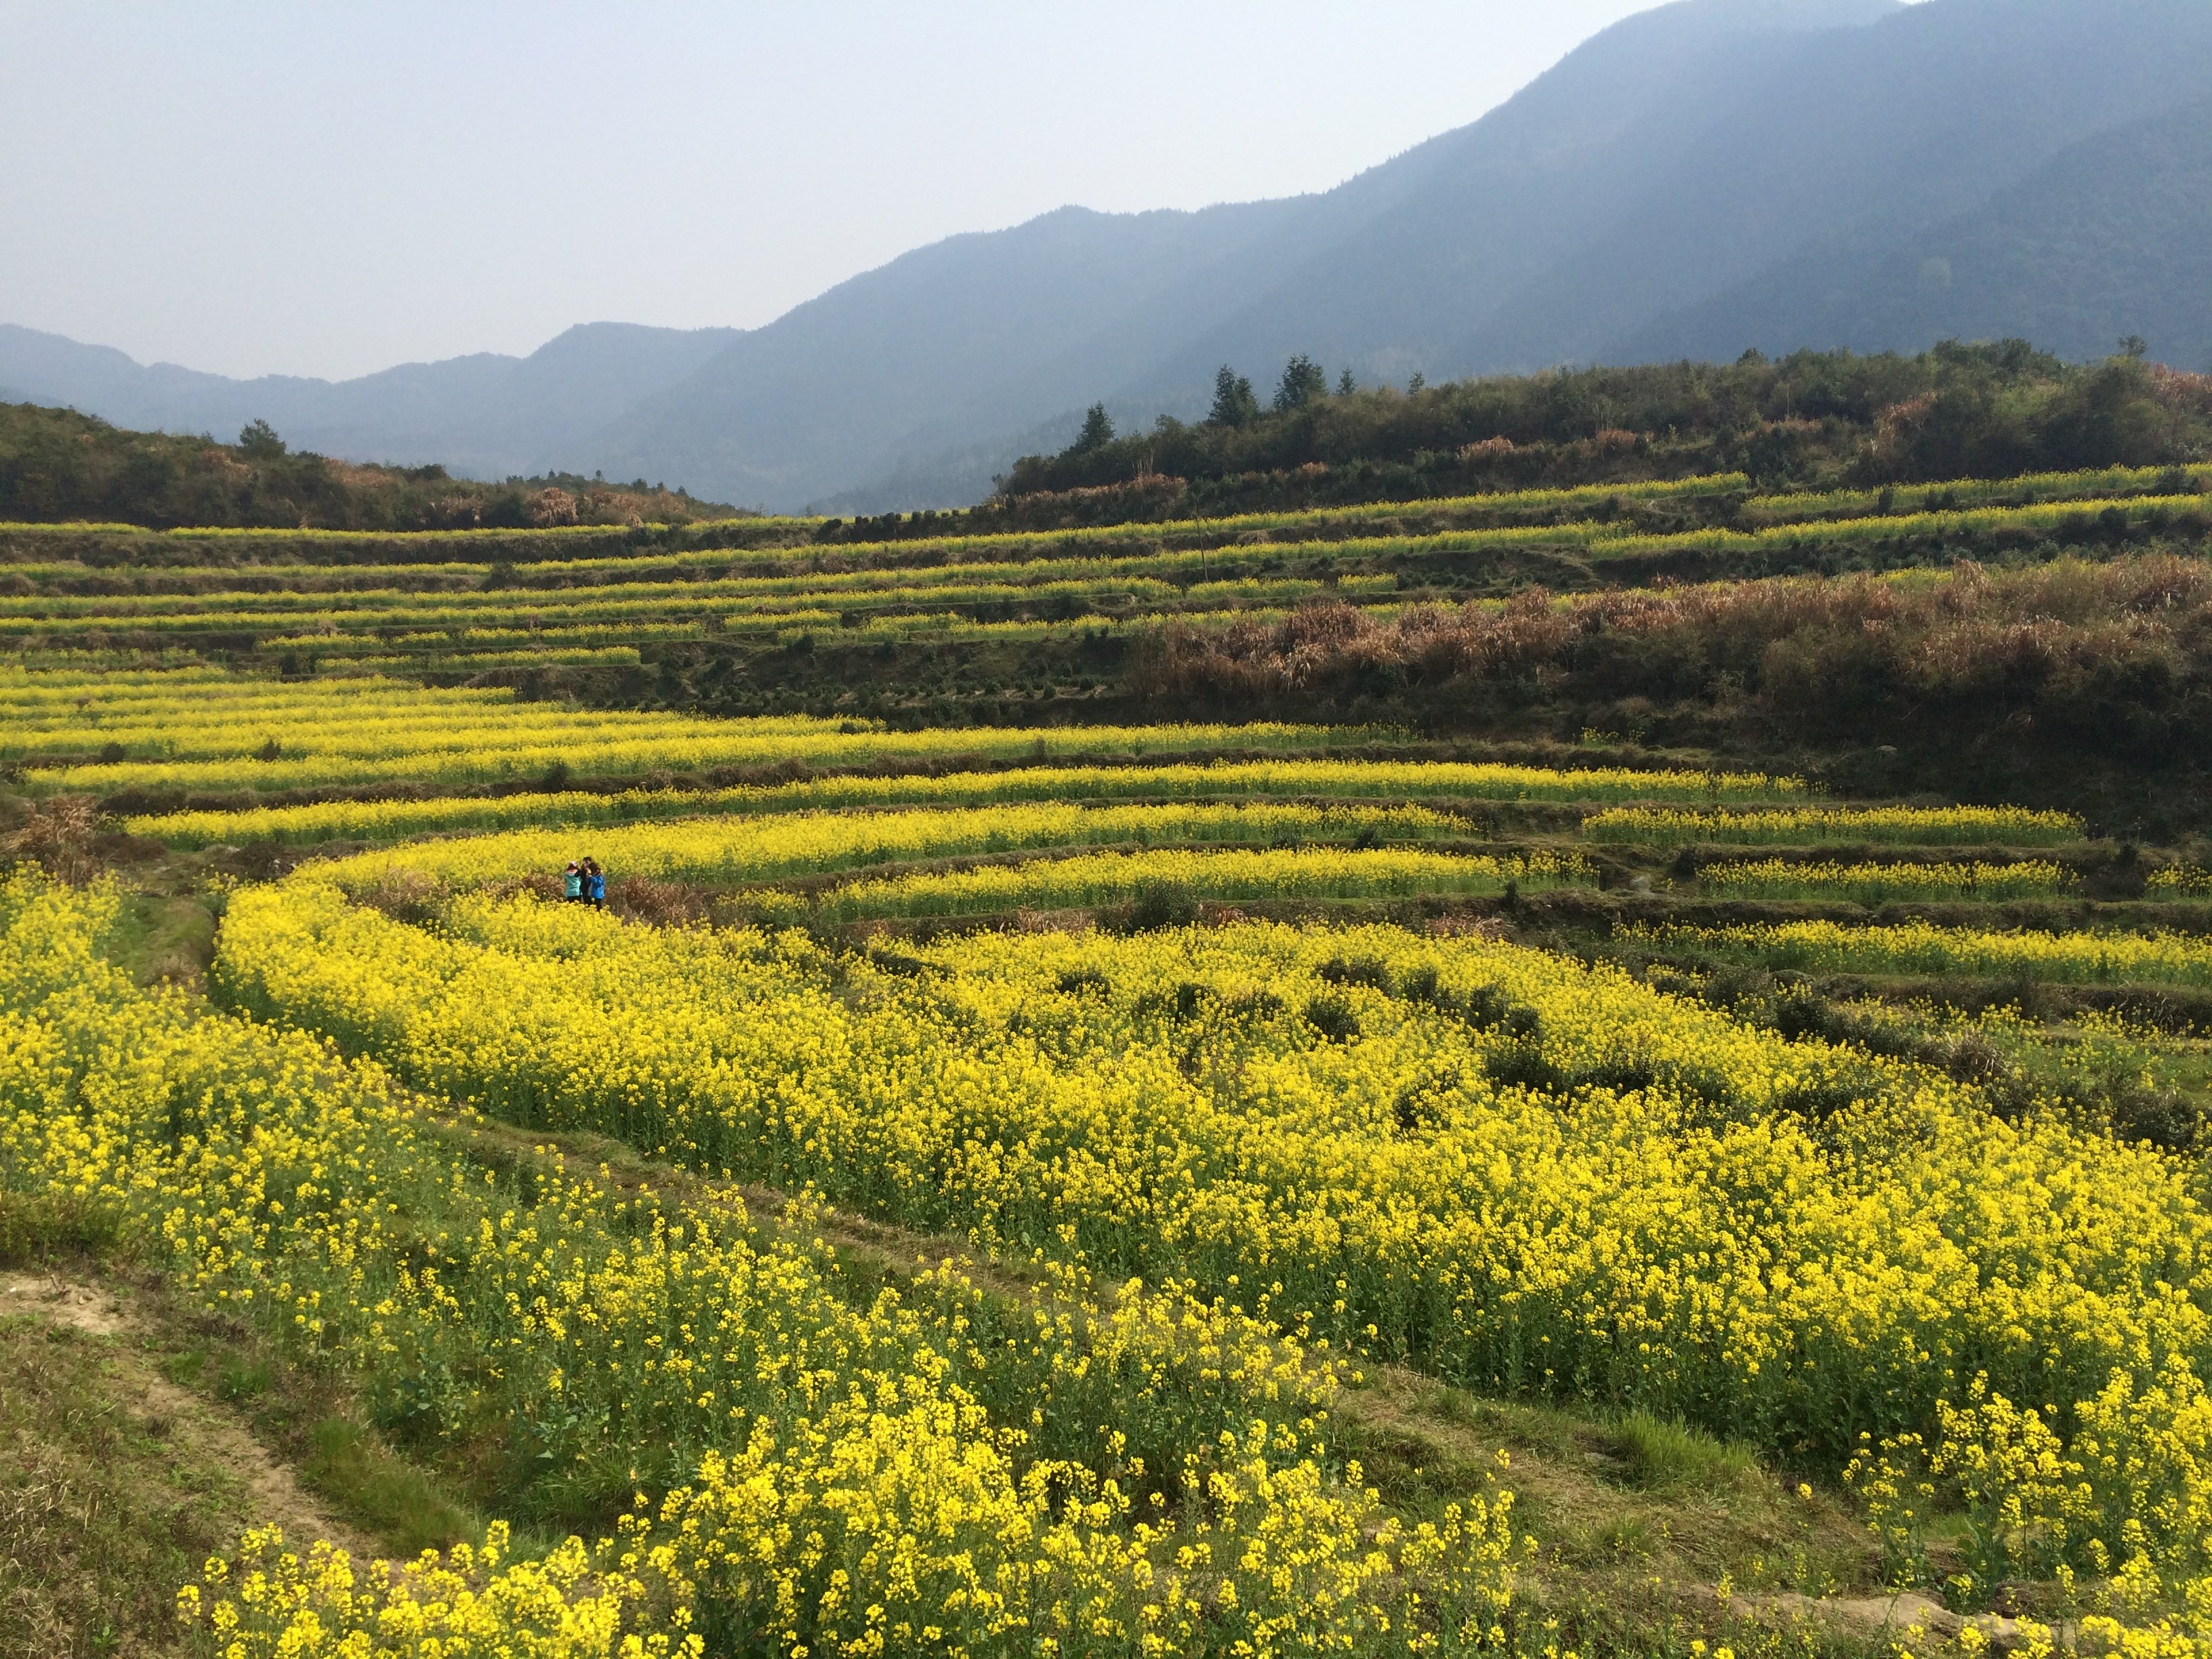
1490	1162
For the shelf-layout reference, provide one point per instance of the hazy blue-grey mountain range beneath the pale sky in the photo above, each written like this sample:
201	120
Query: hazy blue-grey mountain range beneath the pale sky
1693	182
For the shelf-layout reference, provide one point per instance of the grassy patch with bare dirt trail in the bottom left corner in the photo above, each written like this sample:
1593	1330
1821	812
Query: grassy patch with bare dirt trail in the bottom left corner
138	1441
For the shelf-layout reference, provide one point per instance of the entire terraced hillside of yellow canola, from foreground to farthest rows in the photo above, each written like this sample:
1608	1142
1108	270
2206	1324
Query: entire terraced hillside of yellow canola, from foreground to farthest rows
1176	1187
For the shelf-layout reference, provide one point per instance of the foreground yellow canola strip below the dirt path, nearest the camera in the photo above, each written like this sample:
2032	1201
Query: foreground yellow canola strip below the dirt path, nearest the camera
1131	1472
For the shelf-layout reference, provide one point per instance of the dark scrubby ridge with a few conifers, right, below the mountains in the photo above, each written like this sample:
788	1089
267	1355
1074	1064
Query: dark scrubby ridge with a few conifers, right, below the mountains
1815	419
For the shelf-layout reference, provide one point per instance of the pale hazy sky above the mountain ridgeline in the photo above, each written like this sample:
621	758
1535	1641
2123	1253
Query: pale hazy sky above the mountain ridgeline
320	189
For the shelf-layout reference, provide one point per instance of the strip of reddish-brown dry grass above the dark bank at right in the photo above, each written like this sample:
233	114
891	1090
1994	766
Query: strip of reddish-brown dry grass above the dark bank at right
1808	649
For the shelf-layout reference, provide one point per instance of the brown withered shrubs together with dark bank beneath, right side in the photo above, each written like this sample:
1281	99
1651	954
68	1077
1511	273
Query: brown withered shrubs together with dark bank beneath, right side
2114	656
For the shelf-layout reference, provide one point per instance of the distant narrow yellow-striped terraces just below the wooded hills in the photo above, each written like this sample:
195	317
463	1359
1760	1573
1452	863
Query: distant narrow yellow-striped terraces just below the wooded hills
466	605
